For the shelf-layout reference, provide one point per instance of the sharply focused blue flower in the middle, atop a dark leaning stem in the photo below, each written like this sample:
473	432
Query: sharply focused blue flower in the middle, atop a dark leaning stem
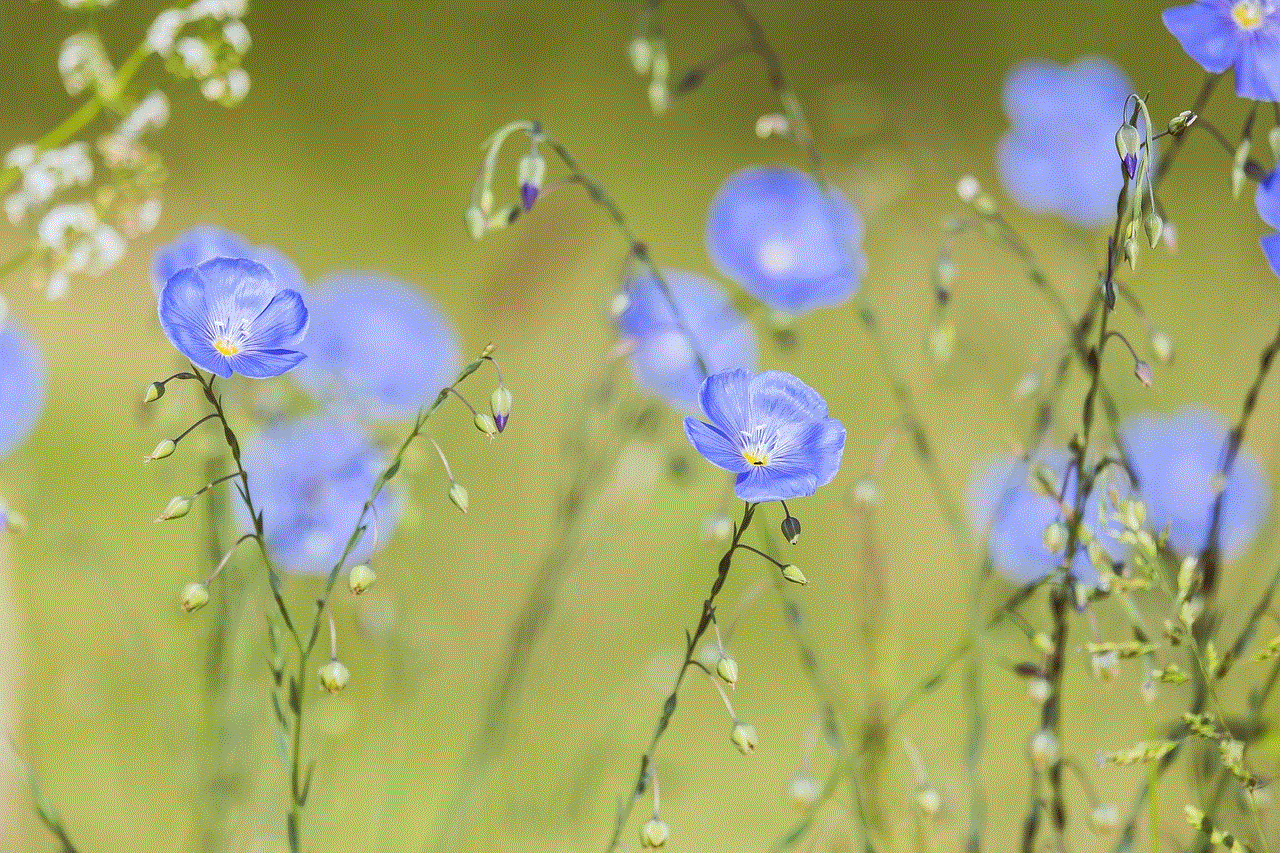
771	430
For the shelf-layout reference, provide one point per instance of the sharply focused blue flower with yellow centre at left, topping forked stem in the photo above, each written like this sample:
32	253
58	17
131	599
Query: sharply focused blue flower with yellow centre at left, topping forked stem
230	316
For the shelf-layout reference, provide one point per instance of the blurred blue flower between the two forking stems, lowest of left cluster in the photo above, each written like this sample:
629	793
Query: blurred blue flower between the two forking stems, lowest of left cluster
310	478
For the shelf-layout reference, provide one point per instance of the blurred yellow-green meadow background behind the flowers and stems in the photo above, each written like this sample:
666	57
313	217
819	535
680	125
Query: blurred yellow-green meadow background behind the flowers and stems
356	149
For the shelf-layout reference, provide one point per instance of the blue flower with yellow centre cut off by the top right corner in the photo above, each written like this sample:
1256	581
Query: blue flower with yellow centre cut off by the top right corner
1222	34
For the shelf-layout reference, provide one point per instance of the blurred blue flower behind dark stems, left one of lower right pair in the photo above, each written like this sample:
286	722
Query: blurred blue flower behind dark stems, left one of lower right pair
1009	510
